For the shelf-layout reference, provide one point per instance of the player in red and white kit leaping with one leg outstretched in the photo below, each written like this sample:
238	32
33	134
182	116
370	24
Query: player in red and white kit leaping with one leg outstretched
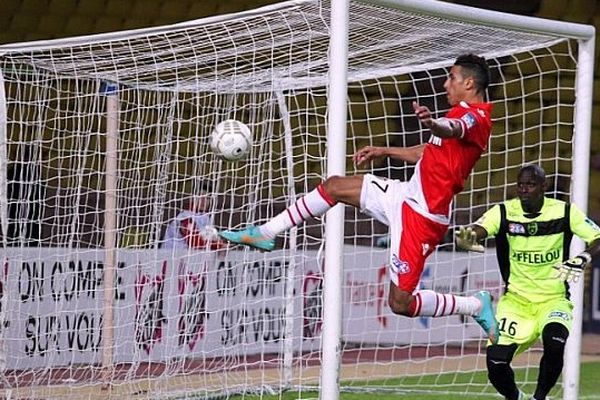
417	211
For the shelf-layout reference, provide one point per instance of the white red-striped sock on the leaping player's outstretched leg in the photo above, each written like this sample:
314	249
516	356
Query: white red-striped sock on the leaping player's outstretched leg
314	204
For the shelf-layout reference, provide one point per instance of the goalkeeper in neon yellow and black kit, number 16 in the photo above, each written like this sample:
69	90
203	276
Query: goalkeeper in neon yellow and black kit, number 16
532	233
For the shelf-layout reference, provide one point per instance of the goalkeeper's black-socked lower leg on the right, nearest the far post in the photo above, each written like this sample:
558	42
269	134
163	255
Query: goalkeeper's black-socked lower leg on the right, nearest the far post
554	337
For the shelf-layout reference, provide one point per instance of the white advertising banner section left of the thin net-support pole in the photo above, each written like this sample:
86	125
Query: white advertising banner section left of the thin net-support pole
53	308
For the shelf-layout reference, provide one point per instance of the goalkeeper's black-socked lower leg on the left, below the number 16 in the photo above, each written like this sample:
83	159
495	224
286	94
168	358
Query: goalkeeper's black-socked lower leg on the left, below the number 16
500	373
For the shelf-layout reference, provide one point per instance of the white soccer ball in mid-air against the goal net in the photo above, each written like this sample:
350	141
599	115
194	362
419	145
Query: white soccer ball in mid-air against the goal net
231	140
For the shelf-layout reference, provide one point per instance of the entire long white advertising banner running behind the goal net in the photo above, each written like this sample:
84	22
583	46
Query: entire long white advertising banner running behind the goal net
175	305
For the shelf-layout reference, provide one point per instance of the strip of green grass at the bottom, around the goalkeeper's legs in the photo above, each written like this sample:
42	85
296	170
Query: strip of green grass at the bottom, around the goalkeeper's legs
449	386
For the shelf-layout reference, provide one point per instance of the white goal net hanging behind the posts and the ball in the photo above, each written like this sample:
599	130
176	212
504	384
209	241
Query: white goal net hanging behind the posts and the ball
105	140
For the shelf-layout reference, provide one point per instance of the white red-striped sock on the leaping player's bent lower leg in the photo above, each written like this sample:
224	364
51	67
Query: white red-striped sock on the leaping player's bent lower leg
433	304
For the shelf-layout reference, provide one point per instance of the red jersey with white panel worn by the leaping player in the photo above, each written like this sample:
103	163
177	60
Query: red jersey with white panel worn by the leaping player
446	163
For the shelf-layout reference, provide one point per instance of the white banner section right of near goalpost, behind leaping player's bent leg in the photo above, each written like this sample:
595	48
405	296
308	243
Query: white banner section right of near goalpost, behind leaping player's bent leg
368	319
